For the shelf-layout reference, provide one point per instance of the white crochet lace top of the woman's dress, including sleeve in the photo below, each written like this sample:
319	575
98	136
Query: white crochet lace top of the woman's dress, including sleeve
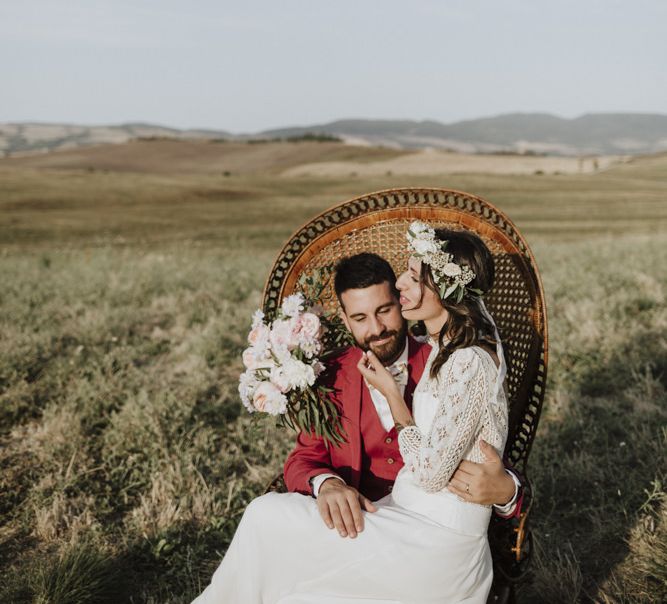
468	408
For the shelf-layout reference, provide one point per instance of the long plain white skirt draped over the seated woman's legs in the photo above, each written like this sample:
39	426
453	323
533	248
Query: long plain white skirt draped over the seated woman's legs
283	553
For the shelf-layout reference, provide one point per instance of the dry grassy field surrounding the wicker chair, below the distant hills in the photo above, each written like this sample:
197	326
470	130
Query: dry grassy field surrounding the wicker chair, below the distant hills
126	460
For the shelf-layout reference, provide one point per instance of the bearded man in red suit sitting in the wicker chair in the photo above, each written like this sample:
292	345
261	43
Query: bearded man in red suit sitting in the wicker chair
348	478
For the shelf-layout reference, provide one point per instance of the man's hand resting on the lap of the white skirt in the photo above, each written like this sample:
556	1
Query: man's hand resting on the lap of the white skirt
340	506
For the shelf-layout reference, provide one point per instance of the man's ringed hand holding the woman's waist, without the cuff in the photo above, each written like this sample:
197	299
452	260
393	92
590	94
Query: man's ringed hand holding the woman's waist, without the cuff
484	483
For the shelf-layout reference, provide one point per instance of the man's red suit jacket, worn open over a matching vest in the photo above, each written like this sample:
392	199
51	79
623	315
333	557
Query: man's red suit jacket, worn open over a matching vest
311	456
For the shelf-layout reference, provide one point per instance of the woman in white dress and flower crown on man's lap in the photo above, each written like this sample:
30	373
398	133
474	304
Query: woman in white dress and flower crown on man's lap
423	544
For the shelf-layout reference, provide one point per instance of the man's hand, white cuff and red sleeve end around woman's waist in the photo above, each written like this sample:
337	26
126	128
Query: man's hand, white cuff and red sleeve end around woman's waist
489	483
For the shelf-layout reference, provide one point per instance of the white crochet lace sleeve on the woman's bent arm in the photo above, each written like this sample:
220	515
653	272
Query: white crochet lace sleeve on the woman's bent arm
463	388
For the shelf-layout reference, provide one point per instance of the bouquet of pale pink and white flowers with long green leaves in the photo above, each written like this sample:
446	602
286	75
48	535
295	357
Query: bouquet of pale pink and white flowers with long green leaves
282	365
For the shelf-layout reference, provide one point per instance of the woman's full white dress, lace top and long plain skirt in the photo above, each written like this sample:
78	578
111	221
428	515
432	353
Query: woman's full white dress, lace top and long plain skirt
423	545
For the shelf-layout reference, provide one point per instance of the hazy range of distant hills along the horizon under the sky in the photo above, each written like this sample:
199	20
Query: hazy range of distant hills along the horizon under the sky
591	134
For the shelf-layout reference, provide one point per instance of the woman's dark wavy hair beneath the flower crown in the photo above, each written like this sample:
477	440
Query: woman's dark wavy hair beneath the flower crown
466	325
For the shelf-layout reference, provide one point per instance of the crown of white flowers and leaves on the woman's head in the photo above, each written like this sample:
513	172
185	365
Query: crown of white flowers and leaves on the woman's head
450	277
